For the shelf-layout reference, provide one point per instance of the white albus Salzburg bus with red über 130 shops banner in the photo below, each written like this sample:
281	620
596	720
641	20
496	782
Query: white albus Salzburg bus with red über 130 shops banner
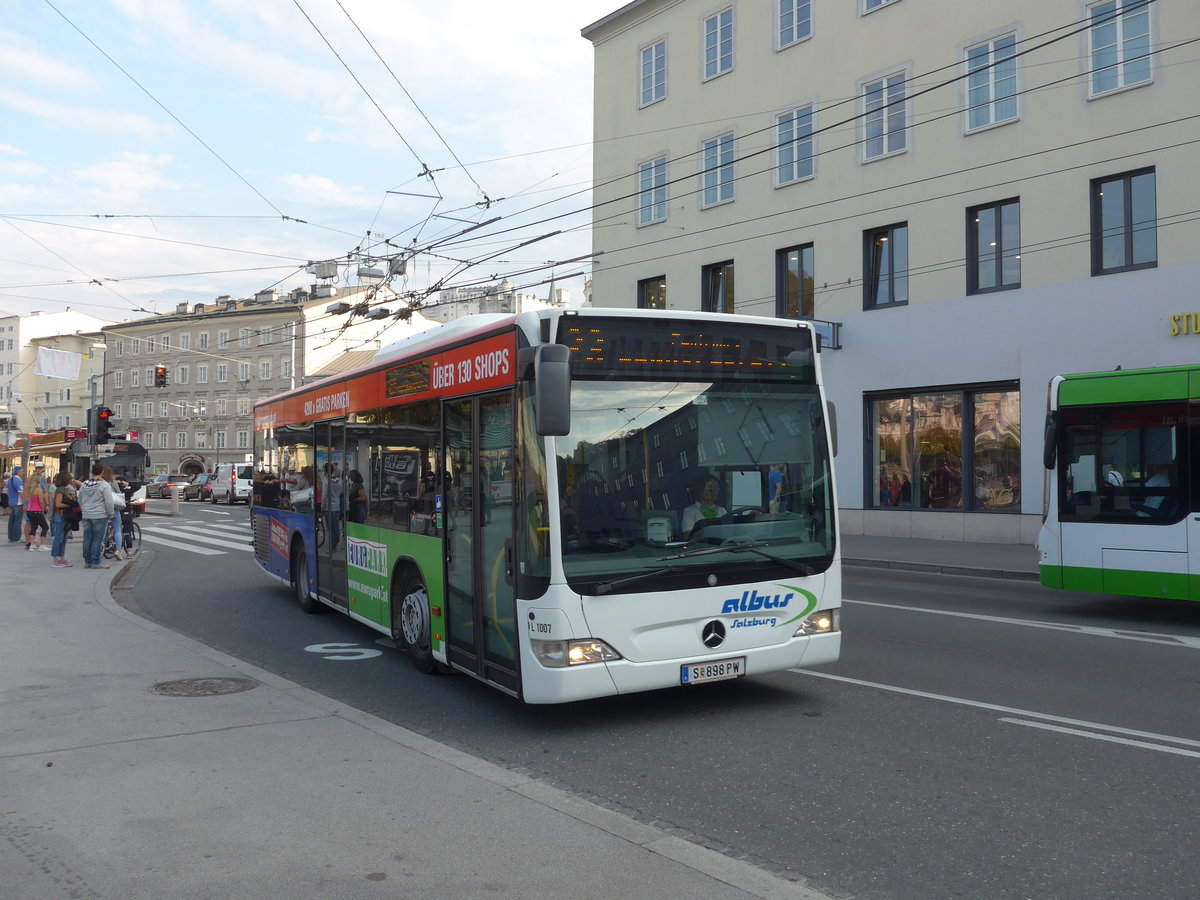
567	505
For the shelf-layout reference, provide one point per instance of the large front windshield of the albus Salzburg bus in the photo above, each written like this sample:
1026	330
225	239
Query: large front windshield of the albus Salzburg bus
682	479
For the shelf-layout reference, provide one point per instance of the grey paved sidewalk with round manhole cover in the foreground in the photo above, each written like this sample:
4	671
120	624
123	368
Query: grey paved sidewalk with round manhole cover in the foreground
241	784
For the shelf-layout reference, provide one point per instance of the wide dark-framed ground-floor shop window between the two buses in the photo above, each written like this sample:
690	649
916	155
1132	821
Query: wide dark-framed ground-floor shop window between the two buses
947	449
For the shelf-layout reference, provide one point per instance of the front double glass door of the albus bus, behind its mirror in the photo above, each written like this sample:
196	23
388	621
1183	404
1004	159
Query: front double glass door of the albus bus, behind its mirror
481	601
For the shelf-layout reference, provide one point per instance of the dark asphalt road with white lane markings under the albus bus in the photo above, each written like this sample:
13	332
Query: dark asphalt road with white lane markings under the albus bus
980	739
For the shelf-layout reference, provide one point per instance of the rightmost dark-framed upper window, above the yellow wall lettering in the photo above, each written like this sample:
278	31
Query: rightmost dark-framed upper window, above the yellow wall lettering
1124	223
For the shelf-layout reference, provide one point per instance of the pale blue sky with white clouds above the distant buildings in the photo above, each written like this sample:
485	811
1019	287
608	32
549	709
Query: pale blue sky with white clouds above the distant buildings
164	152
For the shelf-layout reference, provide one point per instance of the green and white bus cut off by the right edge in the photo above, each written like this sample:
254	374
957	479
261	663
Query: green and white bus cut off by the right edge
1123	509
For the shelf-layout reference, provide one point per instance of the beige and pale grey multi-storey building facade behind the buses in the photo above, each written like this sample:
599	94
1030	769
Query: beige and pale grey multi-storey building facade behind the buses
970	197
